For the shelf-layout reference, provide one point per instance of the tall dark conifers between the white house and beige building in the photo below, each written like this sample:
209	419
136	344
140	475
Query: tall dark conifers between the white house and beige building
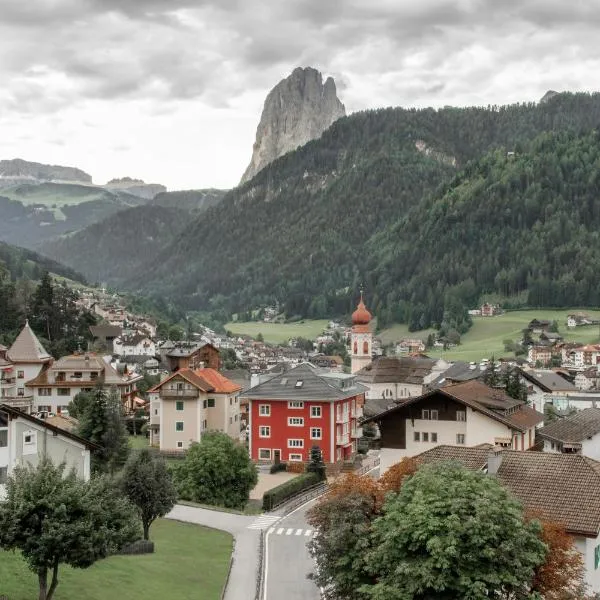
103	424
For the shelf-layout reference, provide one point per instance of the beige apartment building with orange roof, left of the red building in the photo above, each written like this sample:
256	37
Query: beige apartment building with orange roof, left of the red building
189	403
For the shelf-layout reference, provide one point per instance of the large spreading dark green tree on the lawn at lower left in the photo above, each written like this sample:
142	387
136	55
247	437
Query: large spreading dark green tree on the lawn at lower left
52	517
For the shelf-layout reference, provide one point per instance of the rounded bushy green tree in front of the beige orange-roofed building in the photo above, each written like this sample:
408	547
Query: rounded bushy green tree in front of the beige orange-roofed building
217	471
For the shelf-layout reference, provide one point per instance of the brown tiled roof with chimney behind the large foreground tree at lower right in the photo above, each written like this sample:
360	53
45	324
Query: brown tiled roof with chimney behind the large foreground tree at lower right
562	487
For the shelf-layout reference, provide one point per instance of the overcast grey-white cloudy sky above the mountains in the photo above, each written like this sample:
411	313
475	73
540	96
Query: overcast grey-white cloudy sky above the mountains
171	91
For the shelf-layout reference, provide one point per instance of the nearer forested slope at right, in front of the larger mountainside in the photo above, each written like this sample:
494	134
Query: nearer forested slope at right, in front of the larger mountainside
506	224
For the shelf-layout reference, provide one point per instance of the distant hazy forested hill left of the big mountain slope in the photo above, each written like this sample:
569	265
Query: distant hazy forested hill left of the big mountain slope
113	249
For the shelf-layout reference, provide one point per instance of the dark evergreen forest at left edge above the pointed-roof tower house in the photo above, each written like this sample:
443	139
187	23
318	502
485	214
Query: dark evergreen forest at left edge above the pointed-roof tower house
27	291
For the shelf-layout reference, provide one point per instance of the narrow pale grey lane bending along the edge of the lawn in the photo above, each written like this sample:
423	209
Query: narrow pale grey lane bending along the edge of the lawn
245	530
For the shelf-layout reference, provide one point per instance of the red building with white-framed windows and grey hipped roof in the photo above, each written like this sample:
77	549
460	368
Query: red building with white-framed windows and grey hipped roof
302	408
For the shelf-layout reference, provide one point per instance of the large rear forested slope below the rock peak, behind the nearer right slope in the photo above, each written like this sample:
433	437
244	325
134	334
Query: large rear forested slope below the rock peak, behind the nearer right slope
299	232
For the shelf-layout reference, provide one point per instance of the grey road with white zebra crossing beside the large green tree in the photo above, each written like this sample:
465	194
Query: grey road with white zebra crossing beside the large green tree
287	560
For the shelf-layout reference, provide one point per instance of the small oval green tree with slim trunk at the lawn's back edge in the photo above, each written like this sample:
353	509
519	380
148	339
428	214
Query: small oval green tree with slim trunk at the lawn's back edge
148	484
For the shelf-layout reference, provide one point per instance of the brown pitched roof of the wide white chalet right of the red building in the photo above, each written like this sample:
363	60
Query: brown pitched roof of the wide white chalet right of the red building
489	401
